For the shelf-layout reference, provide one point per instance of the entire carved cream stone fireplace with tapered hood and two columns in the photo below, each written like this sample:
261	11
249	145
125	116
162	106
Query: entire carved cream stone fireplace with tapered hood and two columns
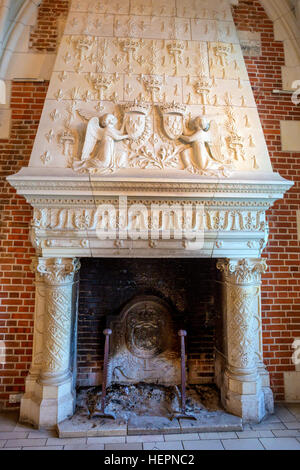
149	146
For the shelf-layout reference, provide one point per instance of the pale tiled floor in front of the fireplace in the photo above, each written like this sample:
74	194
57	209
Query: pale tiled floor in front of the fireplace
280	431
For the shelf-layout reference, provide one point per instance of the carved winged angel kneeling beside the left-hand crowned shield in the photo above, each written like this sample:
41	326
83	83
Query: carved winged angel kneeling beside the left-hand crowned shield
104	159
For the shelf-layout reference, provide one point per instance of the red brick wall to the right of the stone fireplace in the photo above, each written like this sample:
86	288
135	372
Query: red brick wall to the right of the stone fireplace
281	285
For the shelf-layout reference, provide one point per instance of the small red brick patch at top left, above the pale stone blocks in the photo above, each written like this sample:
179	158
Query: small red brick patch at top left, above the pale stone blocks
44	36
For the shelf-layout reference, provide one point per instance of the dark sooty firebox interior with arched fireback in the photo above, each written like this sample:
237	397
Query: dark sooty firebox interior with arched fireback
145	302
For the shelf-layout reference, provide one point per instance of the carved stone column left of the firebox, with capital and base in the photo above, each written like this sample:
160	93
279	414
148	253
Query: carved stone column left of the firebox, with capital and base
50	398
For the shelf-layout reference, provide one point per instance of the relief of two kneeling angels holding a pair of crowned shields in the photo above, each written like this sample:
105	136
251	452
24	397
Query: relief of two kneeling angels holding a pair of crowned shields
176	141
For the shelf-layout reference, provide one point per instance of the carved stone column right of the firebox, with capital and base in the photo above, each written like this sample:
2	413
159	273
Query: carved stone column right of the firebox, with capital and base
242	389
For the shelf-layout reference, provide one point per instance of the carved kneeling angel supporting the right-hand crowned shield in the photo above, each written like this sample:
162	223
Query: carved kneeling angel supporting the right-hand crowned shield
205	153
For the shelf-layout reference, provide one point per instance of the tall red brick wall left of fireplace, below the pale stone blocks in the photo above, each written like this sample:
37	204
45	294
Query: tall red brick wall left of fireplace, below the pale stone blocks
16	280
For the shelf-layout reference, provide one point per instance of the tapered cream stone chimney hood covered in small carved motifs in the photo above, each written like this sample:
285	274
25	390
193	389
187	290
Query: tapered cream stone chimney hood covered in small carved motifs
188	53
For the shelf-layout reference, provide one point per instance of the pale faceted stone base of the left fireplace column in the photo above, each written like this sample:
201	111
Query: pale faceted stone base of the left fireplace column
44	406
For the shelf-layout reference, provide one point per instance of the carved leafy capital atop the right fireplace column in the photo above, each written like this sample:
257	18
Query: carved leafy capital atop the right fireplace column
242	271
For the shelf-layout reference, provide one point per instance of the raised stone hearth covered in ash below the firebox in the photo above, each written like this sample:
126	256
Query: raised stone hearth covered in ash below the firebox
147	409
